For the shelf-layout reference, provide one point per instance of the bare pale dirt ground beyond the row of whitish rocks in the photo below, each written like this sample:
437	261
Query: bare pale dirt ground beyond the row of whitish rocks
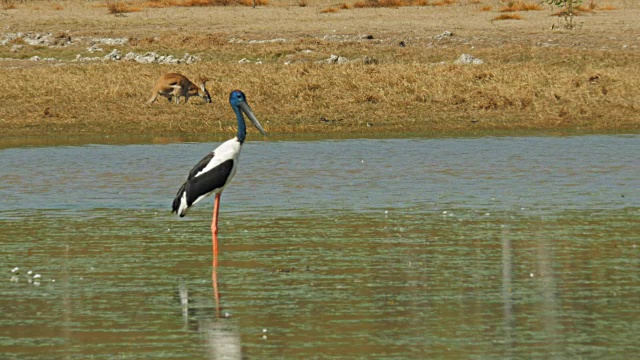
473	26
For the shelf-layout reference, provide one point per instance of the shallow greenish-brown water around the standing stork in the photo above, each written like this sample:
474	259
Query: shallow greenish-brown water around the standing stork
510	247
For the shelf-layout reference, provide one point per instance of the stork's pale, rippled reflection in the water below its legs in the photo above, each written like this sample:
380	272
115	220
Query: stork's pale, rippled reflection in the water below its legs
220	332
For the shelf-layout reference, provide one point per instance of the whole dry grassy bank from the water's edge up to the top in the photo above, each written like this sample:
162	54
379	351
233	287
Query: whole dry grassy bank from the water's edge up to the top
400	76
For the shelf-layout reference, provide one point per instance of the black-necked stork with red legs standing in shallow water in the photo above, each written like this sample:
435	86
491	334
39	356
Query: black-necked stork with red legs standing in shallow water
214	172
